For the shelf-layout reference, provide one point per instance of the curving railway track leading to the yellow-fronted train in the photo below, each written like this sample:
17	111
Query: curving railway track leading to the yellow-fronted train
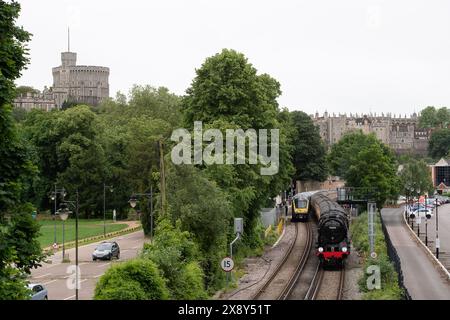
283	279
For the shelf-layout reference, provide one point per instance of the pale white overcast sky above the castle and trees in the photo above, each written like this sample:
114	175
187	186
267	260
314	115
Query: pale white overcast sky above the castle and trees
340	56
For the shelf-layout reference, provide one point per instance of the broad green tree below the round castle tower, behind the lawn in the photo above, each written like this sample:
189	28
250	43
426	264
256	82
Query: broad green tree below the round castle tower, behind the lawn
70	154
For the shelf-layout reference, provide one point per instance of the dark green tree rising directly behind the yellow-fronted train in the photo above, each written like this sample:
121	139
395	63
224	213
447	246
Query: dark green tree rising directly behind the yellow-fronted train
308	149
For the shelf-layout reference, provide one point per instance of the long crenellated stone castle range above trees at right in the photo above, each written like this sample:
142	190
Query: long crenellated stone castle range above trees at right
402	134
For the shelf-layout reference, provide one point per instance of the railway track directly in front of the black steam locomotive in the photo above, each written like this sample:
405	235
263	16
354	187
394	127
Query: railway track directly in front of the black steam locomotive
334	288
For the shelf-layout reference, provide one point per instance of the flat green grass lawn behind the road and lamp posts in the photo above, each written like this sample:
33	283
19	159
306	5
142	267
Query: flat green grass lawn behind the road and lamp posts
86	229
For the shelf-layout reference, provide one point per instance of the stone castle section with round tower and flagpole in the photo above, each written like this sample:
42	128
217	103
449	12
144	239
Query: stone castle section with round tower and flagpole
72	83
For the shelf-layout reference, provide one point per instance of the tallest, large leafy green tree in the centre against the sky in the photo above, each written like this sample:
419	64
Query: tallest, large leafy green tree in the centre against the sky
227	93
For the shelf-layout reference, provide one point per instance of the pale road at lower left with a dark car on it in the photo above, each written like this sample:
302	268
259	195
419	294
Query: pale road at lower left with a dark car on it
56	277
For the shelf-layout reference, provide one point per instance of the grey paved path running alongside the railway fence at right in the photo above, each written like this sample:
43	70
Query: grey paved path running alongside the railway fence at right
422	277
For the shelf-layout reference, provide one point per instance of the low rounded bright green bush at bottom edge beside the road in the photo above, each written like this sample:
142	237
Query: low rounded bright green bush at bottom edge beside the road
137	279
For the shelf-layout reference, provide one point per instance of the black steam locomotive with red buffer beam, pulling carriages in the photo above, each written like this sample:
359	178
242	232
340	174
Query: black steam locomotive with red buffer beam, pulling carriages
333	243
